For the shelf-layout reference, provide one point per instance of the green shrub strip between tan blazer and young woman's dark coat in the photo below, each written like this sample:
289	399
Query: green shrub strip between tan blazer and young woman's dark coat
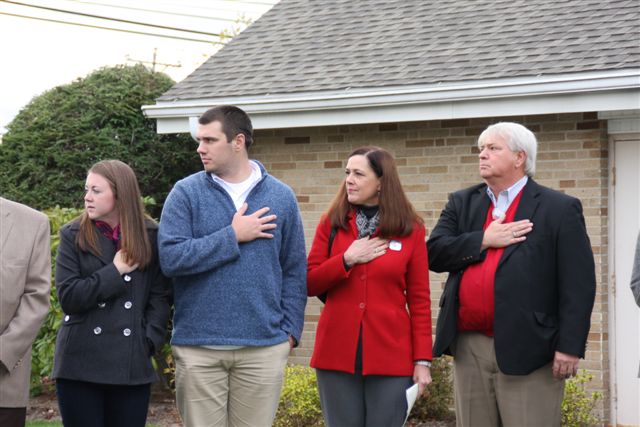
44	345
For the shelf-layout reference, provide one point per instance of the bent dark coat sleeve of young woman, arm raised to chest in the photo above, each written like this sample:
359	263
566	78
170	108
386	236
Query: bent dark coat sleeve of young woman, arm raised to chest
78	294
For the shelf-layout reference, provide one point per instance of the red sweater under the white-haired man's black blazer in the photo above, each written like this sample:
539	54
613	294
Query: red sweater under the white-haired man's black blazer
477	284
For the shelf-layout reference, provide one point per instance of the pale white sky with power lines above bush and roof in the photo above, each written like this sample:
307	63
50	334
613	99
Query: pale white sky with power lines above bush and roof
40	54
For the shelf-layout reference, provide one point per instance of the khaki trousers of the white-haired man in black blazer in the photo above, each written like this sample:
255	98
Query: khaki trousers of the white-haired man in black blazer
487	397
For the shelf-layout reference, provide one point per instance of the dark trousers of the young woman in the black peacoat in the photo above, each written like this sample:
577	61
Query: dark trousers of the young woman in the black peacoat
84	404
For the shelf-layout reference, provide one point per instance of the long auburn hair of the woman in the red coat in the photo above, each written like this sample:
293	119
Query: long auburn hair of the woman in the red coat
397	215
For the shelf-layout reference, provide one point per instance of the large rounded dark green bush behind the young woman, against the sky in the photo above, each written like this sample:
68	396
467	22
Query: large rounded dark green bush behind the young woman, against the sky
52	142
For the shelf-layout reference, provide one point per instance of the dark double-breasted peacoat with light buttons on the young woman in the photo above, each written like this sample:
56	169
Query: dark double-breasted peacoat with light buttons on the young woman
112	324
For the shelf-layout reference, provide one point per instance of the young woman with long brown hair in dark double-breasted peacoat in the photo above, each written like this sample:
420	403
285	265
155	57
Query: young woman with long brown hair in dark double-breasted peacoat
115	301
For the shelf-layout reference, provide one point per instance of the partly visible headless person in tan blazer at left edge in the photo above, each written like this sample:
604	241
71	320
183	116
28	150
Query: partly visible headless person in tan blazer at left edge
25	281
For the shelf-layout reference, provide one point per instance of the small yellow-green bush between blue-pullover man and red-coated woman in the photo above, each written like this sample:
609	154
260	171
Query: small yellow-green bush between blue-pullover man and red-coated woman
299	401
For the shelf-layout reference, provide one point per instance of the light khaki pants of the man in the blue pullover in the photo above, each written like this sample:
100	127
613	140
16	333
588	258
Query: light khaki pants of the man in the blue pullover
229	387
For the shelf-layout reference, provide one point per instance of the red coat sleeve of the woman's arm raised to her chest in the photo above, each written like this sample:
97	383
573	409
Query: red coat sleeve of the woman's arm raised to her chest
324	271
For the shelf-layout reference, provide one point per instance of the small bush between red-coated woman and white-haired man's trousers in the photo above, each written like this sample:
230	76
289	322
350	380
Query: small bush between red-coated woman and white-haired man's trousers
437	400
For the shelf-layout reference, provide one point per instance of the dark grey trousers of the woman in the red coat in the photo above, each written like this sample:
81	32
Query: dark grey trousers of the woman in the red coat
356	400
